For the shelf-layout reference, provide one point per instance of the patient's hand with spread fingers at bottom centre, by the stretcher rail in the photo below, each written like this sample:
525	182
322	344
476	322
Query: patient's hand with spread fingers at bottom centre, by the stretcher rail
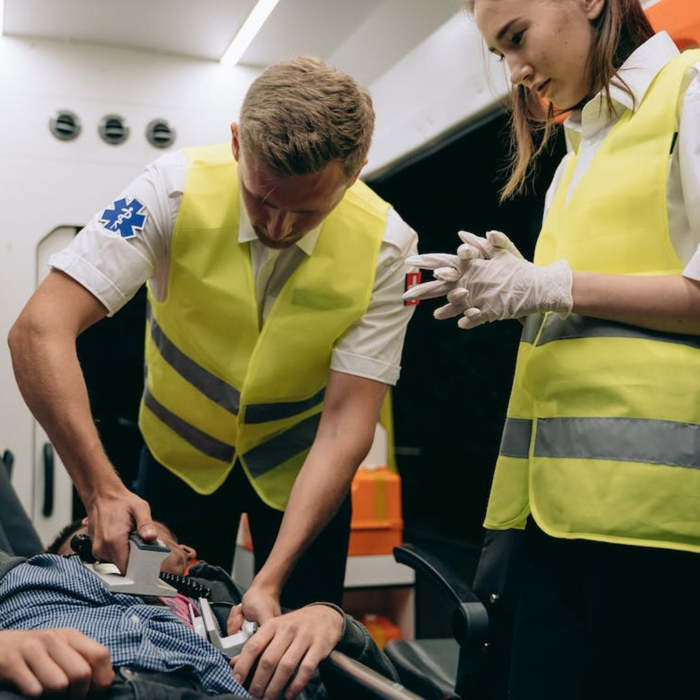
297	641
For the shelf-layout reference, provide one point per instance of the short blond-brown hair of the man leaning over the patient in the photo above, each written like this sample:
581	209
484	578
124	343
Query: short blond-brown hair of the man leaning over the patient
301	114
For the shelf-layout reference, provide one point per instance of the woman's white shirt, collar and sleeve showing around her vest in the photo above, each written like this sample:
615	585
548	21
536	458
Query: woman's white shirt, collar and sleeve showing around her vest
590	127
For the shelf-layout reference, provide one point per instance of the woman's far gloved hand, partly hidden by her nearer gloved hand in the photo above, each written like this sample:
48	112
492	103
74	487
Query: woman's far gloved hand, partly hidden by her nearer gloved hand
448	269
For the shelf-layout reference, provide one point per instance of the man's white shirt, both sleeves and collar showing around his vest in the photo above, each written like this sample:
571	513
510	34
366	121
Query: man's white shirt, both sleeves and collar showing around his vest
113	268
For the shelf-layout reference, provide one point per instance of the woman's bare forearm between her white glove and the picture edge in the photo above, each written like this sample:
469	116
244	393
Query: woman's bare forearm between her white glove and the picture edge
664	303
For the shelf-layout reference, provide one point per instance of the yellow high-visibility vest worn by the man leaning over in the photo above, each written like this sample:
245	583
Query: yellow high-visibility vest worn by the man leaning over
218	386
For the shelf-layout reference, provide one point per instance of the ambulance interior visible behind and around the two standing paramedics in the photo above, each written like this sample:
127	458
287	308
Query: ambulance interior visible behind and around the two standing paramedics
94	90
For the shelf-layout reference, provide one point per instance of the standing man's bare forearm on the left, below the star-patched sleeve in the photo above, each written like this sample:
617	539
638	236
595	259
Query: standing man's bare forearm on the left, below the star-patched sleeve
49	377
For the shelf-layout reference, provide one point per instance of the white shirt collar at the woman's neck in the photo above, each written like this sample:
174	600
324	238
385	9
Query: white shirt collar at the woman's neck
638	71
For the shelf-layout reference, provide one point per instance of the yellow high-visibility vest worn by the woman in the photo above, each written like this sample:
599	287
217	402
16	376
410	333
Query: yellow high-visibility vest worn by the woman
602	438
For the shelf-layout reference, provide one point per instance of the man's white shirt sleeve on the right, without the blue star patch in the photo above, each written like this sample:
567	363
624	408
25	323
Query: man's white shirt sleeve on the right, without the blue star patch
371	348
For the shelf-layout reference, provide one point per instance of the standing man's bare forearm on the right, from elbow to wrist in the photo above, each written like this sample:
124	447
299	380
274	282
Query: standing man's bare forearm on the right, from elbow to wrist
318	491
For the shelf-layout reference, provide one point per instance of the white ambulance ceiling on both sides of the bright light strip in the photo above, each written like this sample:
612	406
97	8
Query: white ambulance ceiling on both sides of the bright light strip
362	37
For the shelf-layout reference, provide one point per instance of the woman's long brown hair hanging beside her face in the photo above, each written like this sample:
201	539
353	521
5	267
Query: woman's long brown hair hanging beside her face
620	28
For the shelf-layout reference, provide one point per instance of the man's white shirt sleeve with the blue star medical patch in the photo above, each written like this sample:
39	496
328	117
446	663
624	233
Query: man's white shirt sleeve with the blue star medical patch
112	266
